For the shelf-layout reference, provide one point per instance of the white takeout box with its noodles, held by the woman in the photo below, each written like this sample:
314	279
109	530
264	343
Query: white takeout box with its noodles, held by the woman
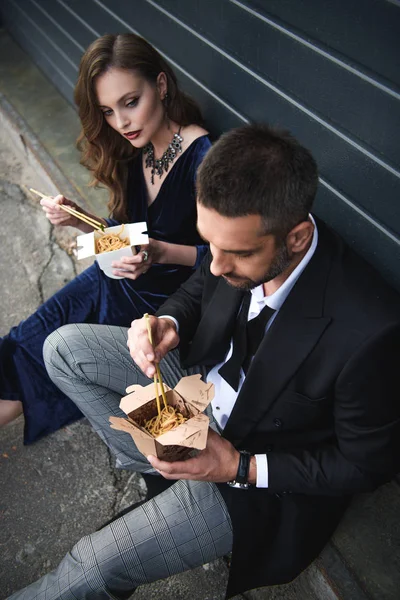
112	244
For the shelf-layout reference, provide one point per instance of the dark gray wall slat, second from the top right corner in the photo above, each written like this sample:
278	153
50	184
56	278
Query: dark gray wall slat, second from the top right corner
330	88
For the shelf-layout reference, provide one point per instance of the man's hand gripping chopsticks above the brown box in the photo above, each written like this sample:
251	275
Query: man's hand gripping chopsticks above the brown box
165	338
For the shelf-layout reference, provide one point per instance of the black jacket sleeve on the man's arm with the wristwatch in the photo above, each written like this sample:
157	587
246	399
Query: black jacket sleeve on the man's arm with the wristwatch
366	452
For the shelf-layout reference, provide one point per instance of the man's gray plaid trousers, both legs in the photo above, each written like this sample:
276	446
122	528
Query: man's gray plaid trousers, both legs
186	526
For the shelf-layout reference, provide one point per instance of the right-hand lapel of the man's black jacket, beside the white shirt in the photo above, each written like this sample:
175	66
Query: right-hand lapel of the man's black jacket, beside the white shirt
292	336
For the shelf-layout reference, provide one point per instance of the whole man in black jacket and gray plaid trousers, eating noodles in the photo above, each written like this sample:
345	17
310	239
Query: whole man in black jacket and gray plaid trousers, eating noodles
301	339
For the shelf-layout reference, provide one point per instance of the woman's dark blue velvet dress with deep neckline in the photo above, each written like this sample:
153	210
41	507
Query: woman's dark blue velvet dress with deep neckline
92	297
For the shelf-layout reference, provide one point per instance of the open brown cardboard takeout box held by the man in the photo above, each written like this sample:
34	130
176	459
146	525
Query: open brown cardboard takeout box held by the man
190	397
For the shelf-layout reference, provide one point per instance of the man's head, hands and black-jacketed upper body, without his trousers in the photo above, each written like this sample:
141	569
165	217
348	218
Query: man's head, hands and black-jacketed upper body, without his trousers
320	398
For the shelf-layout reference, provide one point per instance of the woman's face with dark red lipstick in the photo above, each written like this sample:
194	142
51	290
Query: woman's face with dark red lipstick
131	105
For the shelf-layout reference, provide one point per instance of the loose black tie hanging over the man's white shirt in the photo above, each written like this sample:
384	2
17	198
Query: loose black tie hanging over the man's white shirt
247	337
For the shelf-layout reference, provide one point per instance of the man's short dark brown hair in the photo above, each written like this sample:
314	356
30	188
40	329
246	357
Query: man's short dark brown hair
256	169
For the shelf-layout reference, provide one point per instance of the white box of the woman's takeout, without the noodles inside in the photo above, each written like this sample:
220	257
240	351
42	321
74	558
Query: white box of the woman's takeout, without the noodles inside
135	232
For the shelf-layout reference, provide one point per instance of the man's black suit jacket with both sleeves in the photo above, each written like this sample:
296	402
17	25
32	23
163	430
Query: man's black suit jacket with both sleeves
321	398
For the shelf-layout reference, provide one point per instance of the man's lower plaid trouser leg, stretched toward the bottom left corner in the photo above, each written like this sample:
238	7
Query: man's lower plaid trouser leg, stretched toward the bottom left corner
182	528
